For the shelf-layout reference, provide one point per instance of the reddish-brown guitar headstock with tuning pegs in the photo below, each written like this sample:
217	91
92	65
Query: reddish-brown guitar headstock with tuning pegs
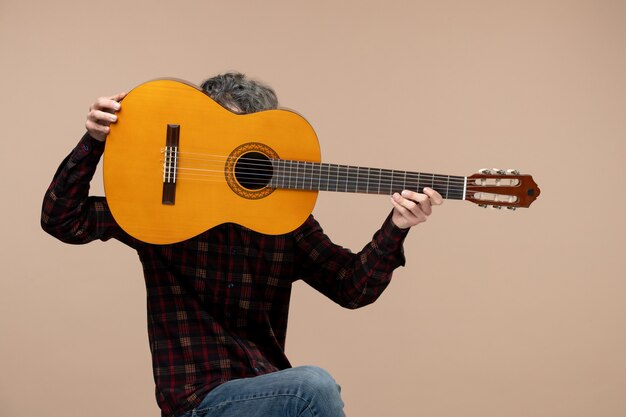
499	188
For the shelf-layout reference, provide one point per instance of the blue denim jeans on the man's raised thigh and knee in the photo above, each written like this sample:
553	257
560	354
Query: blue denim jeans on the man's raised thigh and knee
306	391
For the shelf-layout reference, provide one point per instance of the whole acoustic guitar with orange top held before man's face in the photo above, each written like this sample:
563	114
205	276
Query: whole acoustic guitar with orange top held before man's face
176	163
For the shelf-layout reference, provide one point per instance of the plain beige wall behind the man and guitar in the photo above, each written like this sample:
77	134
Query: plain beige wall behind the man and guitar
496	314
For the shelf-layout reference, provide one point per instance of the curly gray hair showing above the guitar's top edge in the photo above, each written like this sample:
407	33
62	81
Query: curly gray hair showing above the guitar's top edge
238	93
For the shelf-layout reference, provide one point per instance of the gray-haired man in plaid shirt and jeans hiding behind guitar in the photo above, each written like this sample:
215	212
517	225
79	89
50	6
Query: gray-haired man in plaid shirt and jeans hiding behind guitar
218	303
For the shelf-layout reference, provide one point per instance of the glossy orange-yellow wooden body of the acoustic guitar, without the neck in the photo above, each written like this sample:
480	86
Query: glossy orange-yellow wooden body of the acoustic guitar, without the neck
211	139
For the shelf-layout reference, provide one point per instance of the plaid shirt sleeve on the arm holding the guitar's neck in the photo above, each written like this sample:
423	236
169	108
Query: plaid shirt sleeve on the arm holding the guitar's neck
352	280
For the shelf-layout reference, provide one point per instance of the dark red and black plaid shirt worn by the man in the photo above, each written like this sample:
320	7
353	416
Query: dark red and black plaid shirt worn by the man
218	303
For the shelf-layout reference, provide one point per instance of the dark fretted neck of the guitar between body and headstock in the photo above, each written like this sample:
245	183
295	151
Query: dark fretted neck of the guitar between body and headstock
301	175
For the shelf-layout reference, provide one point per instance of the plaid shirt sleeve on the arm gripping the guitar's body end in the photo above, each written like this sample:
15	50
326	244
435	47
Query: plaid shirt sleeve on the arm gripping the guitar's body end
68	212
